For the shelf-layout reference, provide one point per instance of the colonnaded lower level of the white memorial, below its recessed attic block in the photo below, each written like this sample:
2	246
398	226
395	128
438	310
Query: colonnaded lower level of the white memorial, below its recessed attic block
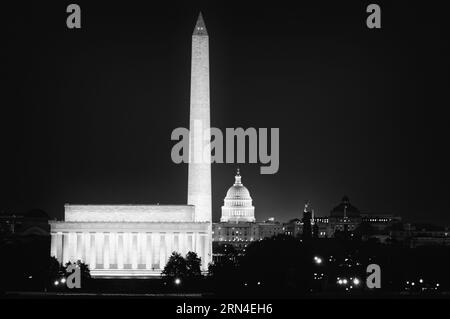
127	251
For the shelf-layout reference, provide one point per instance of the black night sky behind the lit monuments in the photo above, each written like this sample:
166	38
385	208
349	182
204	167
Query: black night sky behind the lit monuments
86	115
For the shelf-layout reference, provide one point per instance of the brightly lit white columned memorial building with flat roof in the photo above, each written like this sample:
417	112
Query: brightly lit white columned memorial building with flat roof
128	240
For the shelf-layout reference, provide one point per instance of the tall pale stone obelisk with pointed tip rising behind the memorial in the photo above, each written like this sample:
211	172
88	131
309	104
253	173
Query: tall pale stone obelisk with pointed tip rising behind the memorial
199	179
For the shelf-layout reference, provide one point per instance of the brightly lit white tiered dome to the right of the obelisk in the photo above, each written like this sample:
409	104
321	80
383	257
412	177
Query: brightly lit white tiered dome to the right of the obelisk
238	203
